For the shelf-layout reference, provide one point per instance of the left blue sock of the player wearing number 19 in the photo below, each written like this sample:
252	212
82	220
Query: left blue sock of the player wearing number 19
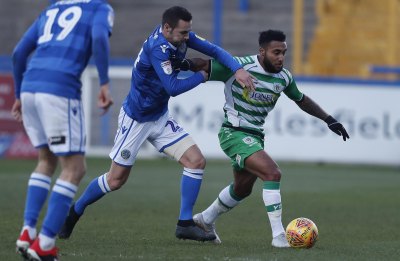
38	188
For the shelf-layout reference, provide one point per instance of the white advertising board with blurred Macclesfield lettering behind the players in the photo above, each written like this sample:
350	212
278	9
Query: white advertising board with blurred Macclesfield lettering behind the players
368	109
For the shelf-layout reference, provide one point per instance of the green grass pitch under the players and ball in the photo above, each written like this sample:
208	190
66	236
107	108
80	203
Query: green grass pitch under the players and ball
356	209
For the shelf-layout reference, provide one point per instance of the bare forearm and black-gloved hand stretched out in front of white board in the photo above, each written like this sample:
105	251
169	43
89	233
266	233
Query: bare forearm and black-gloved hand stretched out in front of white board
312	108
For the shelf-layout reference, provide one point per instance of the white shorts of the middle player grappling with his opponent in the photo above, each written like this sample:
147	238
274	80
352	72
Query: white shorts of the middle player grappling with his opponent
164	134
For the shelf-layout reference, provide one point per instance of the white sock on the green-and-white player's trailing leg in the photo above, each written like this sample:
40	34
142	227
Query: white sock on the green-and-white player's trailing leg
222	204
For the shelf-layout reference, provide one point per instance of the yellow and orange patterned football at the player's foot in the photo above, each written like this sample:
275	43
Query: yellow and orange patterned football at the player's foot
302	233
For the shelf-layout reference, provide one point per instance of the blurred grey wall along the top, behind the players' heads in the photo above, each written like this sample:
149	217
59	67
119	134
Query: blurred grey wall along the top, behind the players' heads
135	19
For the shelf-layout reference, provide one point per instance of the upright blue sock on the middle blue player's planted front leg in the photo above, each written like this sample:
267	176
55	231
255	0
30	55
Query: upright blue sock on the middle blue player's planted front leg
190	187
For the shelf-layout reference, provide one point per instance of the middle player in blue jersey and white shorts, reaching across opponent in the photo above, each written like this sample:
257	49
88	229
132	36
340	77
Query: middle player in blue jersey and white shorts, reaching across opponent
144	116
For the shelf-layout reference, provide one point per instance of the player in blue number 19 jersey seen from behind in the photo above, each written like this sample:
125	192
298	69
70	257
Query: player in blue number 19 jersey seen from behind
48	100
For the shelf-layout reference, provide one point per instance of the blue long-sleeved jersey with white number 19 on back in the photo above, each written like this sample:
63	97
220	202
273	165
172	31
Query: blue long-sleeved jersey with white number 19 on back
64	37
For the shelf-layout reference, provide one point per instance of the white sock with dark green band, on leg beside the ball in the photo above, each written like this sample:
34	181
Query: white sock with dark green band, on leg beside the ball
272	201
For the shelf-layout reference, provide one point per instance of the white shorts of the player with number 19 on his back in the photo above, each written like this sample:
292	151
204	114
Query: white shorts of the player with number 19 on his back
54	121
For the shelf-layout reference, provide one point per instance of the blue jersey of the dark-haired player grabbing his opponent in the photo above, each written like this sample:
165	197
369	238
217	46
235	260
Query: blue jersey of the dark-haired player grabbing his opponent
154	81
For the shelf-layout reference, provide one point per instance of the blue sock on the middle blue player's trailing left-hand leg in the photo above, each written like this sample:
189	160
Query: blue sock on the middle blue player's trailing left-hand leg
93	192
